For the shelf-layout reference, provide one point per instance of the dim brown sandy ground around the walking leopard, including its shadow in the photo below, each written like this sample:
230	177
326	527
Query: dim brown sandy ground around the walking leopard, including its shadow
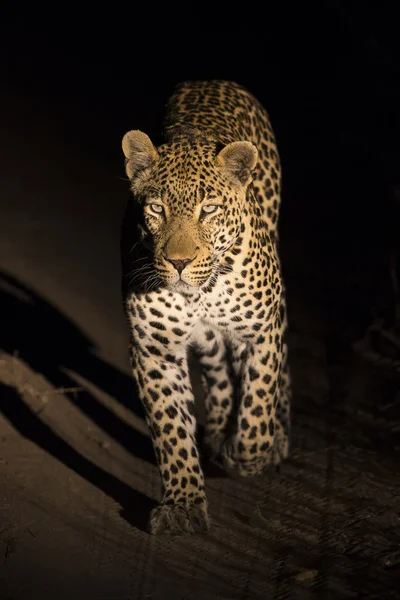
77	472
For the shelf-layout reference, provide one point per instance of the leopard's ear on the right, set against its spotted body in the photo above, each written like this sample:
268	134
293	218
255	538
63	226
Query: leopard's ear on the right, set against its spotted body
238	160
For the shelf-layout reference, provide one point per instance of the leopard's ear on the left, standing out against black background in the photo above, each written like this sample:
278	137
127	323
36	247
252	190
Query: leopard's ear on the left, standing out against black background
139	152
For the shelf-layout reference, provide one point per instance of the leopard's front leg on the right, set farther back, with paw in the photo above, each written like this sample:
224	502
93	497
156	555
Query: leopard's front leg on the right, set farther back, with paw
259	438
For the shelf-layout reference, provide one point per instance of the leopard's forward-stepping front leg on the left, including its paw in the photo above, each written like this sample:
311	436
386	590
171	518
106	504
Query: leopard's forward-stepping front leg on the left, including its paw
165	390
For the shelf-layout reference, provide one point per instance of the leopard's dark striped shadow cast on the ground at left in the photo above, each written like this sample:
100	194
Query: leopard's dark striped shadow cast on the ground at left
51	345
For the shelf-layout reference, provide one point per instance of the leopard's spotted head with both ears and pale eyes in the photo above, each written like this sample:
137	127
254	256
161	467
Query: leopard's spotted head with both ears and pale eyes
191	196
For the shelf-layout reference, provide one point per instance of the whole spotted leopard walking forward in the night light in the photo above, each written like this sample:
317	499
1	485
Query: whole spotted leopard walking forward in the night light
204	275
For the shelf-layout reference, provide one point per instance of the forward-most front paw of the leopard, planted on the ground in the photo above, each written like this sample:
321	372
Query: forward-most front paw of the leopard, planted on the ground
179	519
